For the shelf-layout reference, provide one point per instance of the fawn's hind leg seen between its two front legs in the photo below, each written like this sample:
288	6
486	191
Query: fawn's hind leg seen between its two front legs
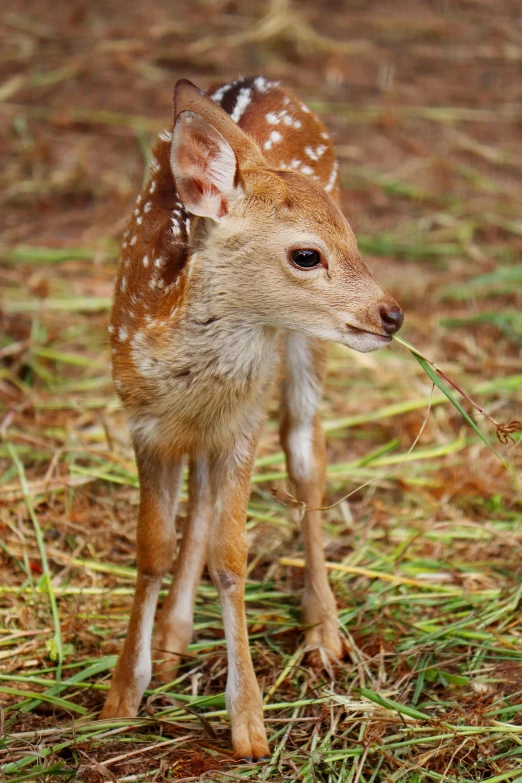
175	620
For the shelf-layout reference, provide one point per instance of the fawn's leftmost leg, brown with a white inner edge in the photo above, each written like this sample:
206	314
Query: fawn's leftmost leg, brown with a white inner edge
156	545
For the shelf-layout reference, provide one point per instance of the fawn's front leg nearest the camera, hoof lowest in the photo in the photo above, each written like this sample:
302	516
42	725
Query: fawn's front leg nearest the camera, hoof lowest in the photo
226	557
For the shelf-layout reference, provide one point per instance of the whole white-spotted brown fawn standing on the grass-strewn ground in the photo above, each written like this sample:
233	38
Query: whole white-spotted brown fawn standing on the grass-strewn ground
237	268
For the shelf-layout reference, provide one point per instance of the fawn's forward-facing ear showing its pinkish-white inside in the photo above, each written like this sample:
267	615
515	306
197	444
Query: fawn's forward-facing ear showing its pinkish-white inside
204	167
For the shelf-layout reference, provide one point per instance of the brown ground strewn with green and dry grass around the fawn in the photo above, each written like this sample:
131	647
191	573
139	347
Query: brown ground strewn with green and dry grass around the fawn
424	102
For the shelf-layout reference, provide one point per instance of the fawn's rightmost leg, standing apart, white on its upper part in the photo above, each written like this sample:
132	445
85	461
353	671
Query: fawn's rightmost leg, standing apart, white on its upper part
302	439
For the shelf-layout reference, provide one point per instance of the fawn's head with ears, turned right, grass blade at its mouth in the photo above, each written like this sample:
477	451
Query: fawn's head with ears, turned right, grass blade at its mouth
271	246
